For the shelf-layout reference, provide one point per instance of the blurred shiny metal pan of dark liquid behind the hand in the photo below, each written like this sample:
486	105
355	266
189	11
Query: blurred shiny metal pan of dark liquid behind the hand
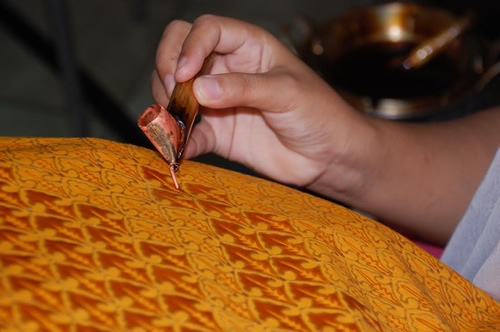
353	52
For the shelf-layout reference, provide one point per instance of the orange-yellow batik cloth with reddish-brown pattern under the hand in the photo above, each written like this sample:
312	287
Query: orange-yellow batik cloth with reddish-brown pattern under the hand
94	237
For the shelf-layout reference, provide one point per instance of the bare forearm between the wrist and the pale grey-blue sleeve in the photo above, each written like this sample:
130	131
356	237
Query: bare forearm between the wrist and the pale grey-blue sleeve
418	176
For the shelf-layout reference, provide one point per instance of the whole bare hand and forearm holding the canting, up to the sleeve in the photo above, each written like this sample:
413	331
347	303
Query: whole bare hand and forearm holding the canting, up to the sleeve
266	109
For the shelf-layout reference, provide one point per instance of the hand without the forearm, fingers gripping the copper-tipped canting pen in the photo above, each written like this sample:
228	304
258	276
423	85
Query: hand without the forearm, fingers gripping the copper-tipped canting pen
263	107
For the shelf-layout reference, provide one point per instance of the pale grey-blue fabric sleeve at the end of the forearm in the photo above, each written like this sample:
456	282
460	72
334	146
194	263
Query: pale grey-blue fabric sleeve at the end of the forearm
474	248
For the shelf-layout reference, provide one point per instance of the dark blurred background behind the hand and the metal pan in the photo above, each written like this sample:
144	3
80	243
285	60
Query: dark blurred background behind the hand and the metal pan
111	47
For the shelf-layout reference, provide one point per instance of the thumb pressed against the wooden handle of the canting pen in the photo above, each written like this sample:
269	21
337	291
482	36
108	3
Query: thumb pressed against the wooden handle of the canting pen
266	91
